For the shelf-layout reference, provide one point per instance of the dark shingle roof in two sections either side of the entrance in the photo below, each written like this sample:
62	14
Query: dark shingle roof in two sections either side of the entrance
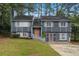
43	18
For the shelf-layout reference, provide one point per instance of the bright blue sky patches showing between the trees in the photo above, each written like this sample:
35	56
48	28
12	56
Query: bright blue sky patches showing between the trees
53	6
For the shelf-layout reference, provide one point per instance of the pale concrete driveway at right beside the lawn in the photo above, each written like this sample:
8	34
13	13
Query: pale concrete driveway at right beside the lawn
66	49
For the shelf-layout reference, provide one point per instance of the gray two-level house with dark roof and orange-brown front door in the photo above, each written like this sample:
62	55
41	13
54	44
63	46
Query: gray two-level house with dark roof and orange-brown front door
55	28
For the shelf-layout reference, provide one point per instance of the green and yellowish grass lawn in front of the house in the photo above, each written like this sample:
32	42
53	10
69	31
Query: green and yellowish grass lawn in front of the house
23	47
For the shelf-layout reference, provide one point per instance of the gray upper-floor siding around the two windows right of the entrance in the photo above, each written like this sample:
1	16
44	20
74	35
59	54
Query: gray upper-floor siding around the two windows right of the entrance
56	28
